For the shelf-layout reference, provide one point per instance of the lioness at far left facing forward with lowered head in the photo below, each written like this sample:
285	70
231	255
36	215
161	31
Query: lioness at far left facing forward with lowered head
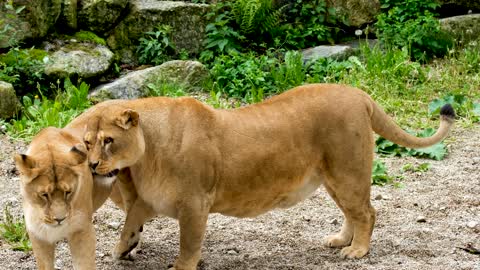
56	162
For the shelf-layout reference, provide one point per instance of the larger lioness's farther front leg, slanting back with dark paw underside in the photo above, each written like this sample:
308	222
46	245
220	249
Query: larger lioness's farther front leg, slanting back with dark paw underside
138	214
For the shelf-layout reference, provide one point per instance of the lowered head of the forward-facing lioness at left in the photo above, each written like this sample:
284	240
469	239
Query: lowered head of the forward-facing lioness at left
52	172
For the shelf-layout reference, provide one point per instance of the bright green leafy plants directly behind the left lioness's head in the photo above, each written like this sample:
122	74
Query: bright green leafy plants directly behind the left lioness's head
41	112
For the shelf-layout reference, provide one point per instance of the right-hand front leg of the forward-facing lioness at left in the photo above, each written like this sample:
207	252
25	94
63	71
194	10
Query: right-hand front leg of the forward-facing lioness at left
82	246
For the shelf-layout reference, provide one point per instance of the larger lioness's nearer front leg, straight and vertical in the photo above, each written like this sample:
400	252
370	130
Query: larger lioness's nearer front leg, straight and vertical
192	219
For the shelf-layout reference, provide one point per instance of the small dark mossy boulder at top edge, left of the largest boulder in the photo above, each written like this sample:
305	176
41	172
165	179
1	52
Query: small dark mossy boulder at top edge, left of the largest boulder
100	15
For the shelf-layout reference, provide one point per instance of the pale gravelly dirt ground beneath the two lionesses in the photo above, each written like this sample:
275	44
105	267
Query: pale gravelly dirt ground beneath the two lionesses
447	196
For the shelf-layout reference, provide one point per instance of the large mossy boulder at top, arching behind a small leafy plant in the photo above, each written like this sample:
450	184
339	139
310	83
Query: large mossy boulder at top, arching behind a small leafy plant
187	20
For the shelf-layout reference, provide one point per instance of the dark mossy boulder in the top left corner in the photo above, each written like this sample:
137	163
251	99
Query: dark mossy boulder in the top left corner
33	21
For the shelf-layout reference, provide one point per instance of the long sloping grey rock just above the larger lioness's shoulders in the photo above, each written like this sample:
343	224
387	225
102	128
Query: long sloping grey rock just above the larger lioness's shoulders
190	74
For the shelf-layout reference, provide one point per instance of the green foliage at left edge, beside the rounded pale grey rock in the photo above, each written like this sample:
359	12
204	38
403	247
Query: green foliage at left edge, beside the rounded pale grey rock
24	68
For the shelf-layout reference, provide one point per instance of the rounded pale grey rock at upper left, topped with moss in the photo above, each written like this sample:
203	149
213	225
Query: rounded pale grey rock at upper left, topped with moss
82	59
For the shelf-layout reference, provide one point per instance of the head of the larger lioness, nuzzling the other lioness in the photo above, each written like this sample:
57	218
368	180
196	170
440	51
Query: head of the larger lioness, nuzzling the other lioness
114	141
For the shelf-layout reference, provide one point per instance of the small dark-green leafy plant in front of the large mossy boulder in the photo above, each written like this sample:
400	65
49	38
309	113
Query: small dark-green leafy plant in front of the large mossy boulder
157	46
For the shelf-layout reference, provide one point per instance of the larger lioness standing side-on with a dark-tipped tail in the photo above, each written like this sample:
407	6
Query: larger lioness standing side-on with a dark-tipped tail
188	160
